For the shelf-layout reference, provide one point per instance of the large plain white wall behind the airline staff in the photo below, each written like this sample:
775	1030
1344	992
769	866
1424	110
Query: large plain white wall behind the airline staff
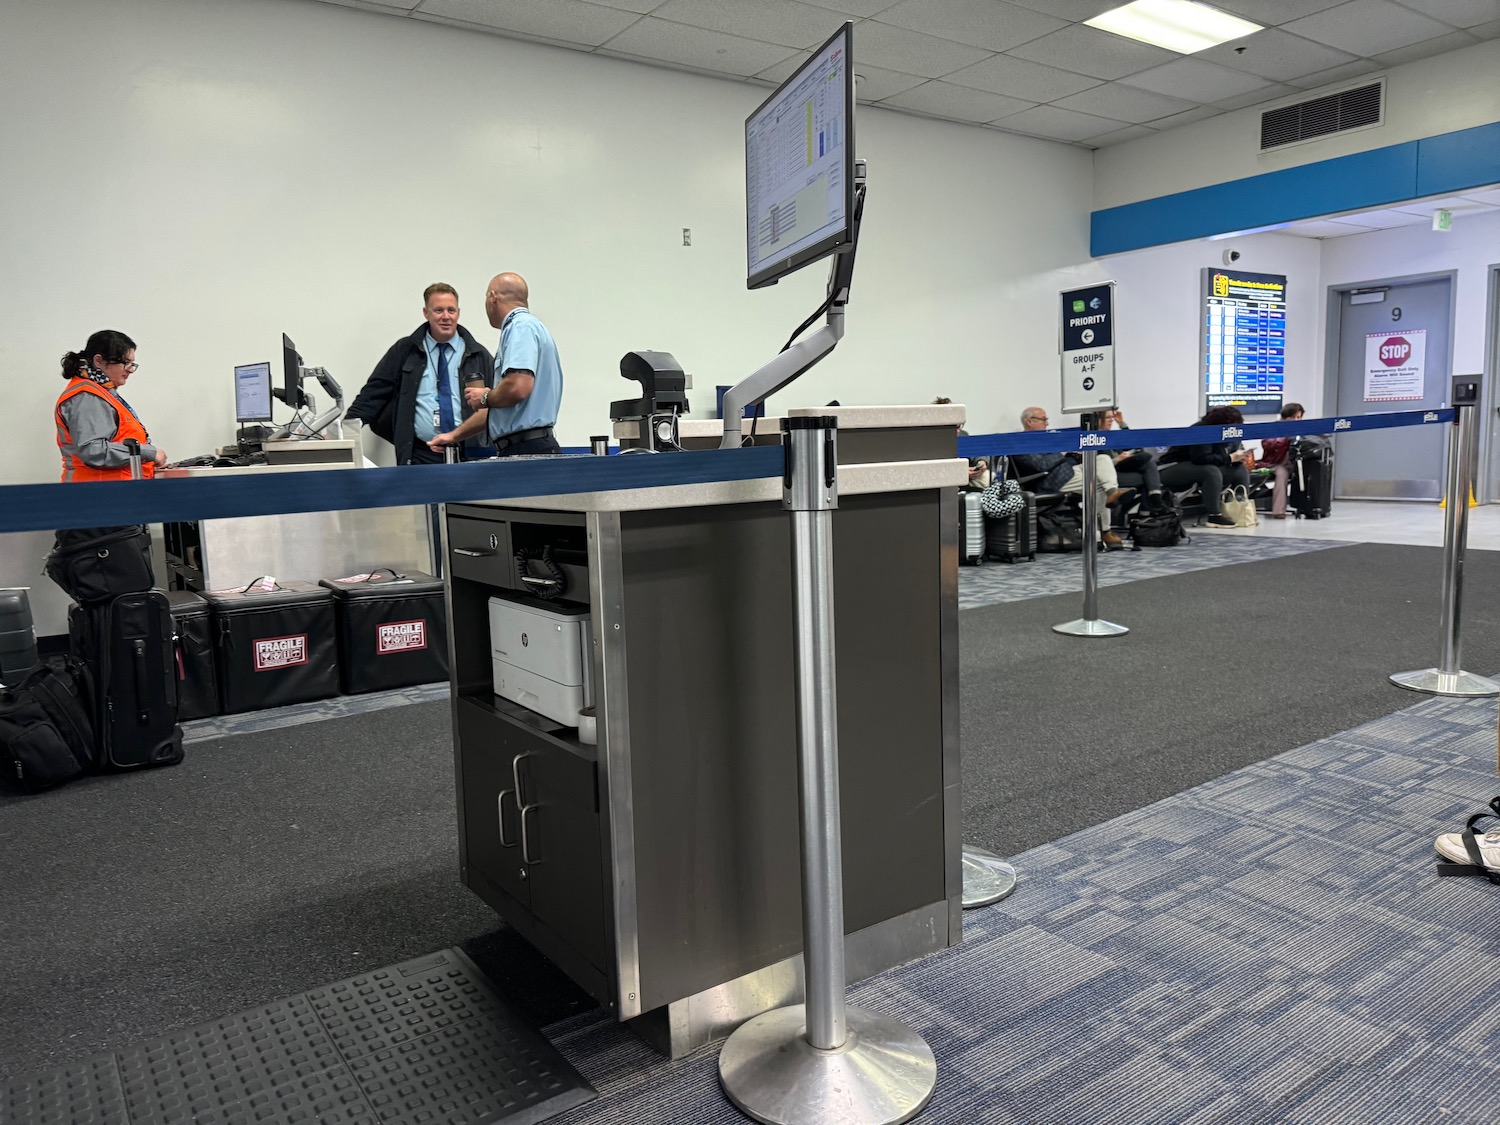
209	176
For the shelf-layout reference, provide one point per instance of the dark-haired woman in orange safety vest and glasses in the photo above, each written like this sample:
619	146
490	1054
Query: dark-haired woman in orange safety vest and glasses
94	422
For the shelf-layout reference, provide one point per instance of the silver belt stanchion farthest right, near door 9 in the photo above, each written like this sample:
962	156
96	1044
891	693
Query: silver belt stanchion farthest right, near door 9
1448	679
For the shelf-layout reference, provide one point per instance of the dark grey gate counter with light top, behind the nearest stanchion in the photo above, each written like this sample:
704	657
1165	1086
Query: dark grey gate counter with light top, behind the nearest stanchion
661	866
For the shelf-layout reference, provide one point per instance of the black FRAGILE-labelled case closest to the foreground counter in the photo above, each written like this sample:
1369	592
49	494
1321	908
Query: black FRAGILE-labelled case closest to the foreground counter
394	631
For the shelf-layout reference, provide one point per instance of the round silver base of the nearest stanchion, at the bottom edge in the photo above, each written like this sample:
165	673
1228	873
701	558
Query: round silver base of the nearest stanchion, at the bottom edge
884	1073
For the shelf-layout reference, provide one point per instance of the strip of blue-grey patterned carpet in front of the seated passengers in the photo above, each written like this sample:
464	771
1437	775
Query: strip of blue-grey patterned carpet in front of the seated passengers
995	583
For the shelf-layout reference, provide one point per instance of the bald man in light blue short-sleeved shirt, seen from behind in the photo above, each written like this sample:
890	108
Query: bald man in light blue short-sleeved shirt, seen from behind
521	410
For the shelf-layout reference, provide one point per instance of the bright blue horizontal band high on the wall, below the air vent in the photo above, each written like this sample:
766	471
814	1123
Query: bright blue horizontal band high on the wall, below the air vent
1457	161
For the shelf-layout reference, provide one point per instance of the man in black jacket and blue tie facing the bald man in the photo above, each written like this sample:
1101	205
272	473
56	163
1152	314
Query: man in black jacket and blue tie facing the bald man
416	392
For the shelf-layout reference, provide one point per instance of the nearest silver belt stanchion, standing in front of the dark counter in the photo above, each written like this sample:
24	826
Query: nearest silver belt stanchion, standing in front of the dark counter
821	1063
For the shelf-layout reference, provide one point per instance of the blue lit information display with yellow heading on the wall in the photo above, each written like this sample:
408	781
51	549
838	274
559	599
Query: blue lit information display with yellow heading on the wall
1244	340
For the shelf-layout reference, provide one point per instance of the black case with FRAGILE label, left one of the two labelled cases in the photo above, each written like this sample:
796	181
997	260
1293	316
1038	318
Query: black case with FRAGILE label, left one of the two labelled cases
274	647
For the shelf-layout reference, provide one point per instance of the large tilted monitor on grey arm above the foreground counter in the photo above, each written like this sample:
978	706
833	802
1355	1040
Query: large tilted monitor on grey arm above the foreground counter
800	178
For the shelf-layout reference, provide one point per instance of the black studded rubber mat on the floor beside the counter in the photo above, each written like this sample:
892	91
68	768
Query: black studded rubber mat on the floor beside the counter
422	1043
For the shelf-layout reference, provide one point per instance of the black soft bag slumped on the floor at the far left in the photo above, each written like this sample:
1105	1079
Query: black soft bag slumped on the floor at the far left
46	733
